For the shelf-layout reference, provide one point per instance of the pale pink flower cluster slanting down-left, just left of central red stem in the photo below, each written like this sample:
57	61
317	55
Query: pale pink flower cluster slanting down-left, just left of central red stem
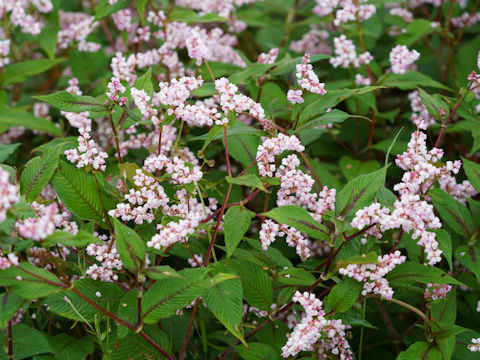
191	213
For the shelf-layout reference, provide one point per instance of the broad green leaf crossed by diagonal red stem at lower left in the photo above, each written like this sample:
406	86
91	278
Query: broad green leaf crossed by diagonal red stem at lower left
105	294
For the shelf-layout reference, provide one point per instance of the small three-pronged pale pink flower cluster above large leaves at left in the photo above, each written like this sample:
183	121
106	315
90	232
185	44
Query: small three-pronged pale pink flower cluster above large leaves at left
87	152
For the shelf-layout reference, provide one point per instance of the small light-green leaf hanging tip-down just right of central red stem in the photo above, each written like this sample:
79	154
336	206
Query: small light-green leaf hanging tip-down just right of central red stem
237	223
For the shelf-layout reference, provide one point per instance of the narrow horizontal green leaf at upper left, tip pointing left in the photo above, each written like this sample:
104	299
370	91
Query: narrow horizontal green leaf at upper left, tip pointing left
65	101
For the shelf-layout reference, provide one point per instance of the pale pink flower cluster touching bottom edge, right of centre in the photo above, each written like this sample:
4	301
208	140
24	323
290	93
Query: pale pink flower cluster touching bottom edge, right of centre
315	332
